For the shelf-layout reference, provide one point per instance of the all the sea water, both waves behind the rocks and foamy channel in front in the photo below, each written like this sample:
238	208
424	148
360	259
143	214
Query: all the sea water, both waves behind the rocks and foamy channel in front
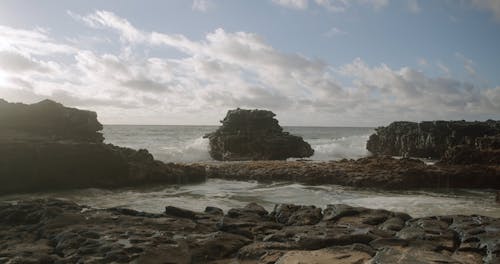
186	144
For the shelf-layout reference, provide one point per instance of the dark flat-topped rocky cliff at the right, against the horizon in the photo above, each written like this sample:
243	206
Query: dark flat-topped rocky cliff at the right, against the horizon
428	139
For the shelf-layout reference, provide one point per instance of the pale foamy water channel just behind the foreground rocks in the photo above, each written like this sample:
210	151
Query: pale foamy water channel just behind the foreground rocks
230	194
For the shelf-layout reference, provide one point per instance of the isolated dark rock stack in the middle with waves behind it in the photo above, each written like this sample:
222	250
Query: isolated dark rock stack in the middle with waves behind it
255	135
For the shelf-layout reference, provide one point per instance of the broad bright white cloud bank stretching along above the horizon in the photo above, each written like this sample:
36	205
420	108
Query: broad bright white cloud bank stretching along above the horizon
226	70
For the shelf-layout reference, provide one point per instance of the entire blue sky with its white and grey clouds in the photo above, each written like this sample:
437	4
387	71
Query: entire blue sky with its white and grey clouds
312	62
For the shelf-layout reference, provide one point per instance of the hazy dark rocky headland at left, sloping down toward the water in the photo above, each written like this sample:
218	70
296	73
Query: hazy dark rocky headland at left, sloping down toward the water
48	146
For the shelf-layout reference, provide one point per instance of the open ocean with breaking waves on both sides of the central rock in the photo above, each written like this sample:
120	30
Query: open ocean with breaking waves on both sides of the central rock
186	143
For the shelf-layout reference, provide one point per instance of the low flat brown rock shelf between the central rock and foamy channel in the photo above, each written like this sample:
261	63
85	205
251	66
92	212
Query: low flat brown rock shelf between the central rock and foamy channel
371	172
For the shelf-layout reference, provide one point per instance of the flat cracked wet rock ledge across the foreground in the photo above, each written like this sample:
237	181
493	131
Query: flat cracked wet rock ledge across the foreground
57	231
